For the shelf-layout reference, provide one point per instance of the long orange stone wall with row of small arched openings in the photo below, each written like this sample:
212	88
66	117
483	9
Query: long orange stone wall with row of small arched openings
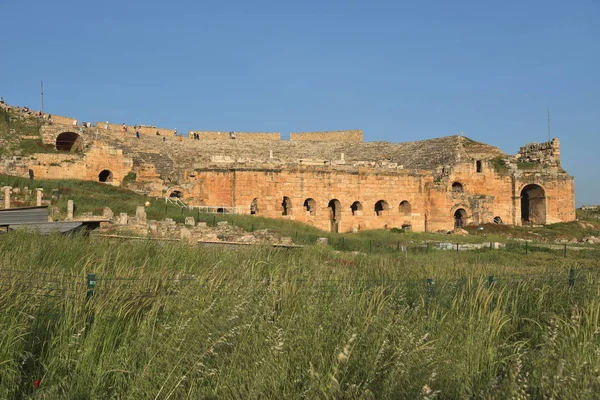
269	187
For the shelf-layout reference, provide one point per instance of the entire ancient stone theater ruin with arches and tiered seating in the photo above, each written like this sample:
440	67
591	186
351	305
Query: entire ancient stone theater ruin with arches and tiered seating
331	180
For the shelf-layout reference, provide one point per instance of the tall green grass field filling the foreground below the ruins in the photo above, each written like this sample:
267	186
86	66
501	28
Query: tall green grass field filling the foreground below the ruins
167	321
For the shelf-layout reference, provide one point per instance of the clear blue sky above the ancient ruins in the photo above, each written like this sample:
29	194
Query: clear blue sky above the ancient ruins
401	71
